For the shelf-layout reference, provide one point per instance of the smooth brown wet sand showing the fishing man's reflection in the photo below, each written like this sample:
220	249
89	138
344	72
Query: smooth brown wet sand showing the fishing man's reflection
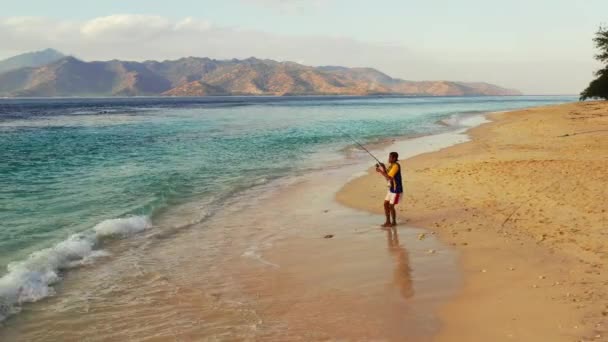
338	276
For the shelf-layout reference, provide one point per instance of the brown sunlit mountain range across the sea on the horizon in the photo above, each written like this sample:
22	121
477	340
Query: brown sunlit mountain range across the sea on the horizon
50	73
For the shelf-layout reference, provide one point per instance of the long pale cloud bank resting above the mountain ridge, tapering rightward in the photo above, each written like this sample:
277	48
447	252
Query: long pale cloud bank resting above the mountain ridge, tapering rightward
141	37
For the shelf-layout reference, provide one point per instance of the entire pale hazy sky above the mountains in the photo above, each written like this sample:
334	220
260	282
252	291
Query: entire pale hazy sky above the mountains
535	46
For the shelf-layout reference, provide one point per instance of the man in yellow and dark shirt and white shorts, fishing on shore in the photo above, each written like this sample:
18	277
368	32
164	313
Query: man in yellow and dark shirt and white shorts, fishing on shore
395	188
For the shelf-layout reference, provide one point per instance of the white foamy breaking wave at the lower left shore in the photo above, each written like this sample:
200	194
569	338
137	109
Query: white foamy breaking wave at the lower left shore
32	279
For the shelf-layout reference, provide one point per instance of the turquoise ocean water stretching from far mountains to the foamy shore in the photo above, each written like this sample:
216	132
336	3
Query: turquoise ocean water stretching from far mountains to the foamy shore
77	175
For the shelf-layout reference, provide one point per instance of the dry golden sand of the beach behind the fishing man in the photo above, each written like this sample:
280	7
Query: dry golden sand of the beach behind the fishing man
526	203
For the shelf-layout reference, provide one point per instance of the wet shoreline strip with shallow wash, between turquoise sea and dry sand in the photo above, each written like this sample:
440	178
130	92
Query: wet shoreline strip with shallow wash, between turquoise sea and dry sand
362	283
